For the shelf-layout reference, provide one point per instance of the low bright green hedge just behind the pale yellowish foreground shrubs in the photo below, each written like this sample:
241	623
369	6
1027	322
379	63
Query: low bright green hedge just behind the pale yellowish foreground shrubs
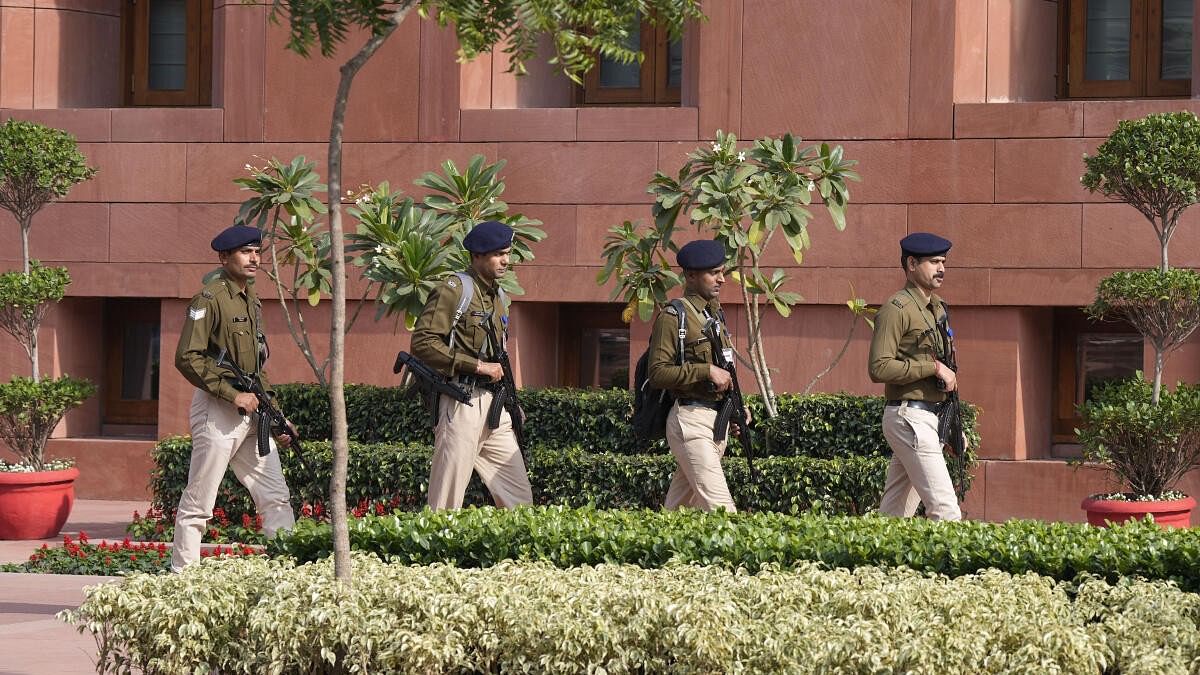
752	541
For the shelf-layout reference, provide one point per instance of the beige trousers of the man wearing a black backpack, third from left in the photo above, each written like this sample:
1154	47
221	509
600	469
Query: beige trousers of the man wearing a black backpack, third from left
700	481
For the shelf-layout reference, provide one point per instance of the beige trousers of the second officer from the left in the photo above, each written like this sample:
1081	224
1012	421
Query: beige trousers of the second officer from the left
464	443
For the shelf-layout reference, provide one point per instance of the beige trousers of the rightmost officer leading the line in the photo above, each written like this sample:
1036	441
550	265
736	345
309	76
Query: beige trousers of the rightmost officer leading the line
917	473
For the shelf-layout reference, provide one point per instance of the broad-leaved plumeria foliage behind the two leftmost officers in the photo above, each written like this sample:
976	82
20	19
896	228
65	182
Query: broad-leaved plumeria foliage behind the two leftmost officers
401	248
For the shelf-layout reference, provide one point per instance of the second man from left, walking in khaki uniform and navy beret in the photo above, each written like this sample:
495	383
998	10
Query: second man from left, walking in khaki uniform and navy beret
463	440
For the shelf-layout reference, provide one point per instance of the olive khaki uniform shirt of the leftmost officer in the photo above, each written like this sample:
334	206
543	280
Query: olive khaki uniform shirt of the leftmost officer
221	318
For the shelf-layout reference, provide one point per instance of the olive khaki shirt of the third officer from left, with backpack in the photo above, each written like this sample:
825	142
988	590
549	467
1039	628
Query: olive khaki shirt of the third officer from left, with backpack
691	380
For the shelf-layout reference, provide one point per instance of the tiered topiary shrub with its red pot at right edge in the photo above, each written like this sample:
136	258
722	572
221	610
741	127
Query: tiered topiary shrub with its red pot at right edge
1149	438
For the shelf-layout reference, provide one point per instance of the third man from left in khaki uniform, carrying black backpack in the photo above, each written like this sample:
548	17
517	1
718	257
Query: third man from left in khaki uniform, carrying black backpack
699	385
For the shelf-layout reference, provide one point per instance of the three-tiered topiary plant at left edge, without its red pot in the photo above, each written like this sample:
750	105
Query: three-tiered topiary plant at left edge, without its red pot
38	166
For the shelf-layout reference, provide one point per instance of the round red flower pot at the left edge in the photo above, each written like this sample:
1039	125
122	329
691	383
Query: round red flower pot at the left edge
35	506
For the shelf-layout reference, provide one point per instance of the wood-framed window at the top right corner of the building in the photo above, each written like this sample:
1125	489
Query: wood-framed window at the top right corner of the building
1125	49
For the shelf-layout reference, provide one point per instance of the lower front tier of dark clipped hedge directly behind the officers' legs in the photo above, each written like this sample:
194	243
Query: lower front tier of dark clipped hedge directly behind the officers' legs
398	476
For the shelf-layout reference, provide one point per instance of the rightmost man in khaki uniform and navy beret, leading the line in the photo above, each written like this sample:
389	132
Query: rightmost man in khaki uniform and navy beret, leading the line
905	359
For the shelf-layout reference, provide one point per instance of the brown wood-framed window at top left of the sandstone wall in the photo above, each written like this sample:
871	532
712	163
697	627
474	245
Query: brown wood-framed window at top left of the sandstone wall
167	52
